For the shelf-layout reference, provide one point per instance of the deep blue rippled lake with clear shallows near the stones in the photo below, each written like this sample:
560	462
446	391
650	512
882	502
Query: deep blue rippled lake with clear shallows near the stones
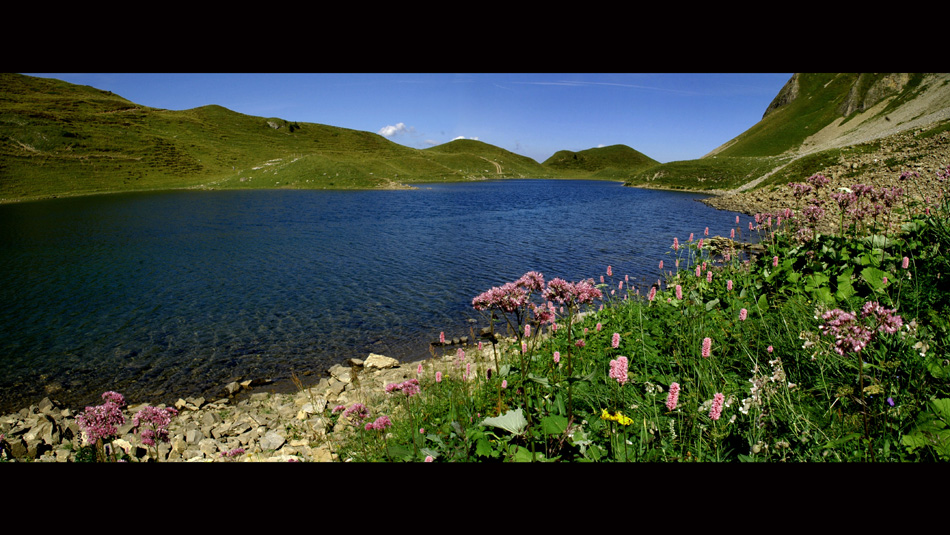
163	295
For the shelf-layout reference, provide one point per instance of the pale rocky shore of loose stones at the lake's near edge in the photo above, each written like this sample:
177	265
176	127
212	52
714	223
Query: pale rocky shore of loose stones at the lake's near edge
246	426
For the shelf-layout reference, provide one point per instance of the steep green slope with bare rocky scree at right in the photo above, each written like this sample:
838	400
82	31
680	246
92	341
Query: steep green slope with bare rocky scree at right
808	125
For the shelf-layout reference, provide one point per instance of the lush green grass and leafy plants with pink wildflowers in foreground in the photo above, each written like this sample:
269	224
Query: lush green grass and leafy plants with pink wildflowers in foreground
823	348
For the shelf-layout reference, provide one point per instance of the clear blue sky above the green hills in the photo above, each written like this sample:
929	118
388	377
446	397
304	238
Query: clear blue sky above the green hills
666	116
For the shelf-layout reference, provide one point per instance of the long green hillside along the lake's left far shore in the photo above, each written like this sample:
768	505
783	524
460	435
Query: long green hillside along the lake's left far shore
59	139
